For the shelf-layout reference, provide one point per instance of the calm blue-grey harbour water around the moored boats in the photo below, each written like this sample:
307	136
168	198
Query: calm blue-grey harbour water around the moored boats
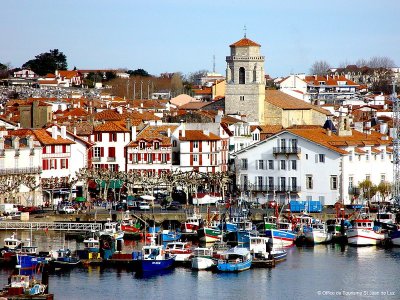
319	272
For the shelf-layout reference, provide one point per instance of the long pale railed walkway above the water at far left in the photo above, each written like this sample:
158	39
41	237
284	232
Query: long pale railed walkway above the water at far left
58	226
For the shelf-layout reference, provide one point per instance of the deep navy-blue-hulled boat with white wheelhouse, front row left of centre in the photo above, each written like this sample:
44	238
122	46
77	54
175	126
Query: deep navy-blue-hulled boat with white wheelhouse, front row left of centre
155	258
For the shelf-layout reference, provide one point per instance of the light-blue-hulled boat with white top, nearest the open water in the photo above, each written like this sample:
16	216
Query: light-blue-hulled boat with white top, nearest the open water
236	259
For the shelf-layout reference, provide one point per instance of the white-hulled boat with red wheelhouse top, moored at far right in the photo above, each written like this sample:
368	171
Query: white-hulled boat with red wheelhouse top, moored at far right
363	233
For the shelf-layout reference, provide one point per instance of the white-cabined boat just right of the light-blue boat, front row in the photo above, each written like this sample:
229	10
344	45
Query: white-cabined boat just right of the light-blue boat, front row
261	247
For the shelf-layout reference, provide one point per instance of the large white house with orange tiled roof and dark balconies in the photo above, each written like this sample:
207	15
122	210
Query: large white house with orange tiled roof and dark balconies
310	163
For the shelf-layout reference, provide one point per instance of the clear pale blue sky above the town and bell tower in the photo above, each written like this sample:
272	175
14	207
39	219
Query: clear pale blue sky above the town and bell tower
184	36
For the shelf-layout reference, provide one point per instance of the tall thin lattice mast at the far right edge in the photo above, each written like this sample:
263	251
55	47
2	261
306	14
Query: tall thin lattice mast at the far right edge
396	145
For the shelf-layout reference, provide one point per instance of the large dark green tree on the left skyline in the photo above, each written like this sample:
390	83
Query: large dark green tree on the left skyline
47	62
